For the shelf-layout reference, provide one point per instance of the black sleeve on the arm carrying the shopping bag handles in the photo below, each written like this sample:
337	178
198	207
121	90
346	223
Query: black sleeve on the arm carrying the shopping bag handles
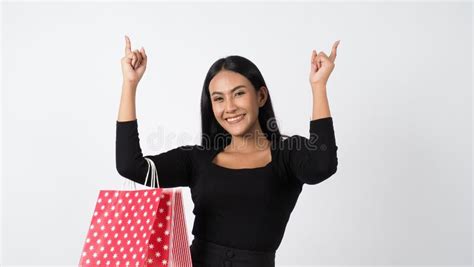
174	167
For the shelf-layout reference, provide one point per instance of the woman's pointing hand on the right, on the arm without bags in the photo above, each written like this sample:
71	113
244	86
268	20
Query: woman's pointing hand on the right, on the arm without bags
322	66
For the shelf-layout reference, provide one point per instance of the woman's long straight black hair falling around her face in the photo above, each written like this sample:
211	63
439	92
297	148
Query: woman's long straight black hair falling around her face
213	135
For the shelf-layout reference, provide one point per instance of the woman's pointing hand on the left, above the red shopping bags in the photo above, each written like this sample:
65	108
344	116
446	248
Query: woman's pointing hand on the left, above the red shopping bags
133	64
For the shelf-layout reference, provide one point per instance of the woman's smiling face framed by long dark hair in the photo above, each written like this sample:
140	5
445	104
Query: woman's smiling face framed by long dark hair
233	96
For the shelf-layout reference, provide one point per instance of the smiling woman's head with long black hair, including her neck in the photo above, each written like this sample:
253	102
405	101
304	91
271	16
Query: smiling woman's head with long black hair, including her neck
235	87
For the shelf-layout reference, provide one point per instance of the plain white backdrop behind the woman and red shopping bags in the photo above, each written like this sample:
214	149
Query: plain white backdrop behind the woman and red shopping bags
400	97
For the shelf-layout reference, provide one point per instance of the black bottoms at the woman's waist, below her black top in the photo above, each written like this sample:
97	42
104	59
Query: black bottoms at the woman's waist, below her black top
207	254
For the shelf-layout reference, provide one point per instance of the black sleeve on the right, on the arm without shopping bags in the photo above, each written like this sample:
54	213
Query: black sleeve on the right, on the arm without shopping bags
312	160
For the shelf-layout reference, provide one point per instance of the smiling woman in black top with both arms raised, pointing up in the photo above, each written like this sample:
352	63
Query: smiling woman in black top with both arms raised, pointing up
245	178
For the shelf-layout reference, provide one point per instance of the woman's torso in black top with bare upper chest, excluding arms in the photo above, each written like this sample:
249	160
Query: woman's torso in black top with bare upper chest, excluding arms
242	200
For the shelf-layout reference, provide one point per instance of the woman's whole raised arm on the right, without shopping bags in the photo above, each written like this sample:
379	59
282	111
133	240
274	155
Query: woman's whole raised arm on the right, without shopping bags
313	160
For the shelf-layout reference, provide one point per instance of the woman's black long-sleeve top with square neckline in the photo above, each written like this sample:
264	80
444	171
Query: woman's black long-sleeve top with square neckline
242	208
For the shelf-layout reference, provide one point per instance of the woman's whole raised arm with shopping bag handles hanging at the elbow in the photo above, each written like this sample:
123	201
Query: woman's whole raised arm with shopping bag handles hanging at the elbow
174	167
